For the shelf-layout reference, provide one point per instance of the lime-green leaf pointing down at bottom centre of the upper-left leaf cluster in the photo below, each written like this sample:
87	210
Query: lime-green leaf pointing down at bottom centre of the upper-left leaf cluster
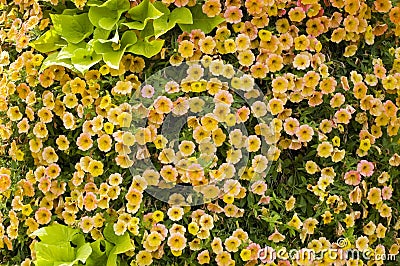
110	51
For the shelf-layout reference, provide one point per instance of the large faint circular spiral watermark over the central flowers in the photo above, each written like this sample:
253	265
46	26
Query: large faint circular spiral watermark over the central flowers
197	128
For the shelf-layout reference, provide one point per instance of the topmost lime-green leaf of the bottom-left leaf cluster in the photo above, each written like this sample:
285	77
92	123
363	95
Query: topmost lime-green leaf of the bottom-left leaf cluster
56	234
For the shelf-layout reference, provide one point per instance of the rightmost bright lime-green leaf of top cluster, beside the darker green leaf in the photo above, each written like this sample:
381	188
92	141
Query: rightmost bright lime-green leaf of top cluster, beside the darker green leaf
169	19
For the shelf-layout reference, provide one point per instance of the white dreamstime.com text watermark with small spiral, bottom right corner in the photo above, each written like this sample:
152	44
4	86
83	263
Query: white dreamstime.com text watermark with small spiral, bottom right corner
340	251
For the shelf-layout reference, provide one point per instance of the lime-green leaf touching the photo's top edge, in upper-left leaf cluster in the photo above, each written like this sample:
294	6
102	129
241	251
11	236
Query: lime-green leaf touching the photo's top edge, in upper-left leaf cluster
107	14
